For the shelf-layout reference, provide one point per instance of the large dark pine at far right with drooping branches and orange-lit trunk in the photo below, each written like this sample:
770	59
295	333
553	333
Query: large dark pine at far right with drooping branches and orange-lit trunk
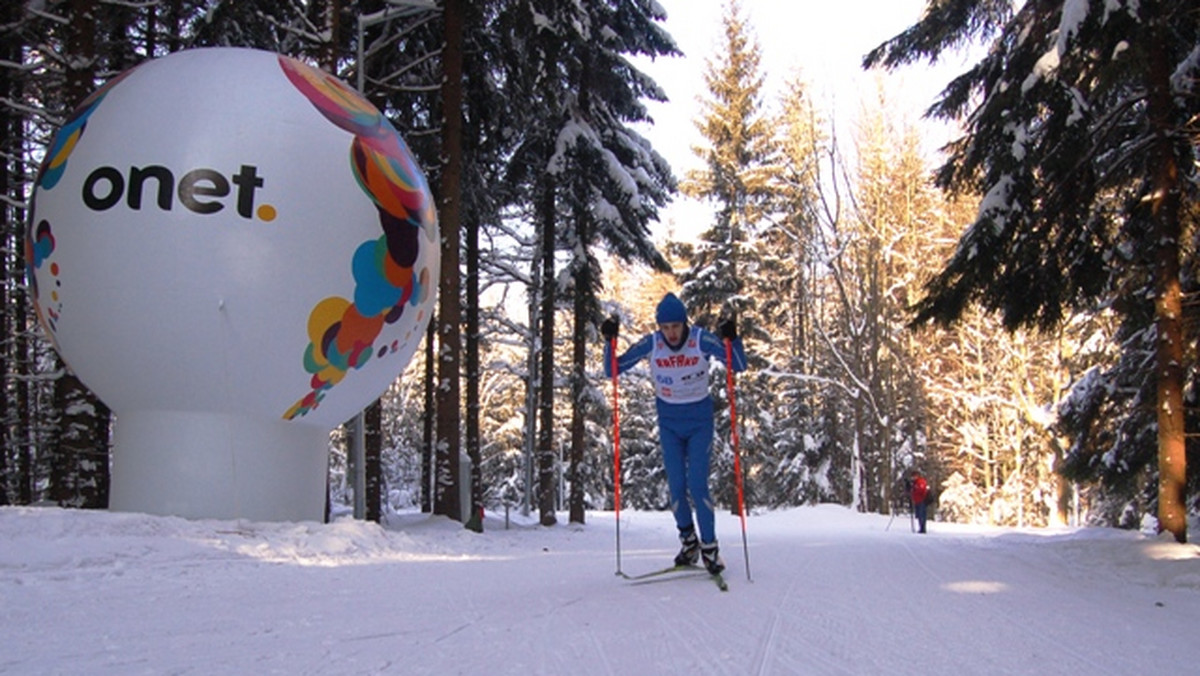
1078	136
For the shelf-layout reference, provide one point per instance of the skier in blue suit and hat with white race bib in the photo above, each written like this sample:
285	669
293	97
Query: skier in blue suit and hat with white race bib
680	356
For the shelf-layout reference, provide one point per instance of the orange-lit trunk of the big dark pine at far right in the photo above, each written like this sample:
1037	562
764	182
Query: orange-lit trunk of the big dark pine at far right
1165	214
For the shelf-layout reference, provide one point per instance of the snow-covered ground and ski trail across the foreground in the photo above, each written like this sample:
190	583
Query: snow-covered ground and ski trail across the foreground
832	593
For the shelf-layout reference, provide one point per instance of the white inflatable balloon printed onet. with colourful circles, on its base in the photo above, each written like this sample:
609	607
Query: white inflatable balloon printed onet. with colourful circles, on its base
236	253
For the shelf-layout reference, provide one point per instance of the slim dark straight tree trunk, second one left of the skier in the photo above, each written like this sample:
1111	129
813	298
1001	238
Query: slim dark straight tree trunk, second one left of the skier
547	462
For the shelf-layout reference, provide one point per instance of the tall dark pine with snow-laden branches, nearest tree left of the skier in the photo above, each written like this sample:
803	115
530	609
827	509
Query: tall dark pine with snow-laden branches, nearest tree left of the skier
614	184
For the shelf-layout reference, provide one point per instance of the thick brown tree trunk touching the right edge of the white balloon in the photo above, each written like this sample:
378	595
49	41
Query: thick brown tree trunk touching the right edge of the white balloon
449	446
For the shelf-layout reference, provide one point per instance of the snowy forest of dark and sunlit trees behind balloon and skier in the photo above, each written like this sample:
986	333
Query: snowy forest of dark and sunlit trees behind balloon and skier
1027	398
